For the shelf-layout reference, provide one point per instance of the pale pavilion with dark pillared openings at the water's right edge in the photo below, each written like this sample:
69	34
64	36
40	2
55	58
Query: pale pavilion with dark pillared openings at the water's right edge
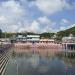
69	42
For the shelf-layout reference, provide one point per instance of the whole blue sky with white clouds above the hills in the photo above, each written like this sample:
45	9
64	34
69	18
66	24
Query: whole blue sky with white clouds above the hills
36	15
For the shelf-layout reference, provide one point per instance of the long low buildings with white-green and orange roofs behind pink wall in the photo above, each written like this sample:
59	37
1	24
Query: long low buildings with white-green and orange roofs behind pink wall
32	39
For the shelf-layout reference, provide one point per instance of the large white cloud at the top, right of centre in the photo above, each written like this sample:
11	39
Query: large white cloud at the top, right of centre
52	6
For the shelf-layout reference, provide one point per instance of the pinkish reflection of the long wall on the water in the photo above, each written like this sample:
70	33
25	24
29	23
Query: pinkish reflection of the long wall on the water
40	52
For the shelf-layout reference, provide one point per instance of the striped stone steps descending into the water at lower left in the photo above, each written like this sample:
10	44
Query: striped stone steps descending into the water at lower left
4	59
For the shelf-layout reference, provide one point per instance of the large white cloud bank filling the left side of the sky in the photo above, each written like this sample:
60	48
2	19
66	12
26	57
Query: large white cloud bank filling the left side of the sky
11	14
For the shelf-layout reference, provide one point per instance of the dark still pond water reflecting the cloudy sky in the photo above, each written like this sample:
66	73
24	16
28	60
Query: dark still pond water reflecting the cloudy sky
35	63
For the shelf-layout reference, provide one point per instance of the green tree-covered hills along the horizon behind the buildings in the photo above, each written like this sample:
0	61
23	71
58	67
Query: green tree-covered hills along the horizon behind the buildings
59	34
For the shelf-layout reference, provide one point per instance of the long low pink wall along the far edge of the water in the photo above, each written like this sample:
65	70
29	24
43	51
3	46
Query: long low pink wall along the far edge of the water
38	45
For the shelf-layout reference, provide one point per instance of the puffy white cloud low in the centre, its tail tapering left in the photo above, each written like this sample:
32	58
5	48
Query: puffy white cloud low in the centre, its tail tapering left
40	25
